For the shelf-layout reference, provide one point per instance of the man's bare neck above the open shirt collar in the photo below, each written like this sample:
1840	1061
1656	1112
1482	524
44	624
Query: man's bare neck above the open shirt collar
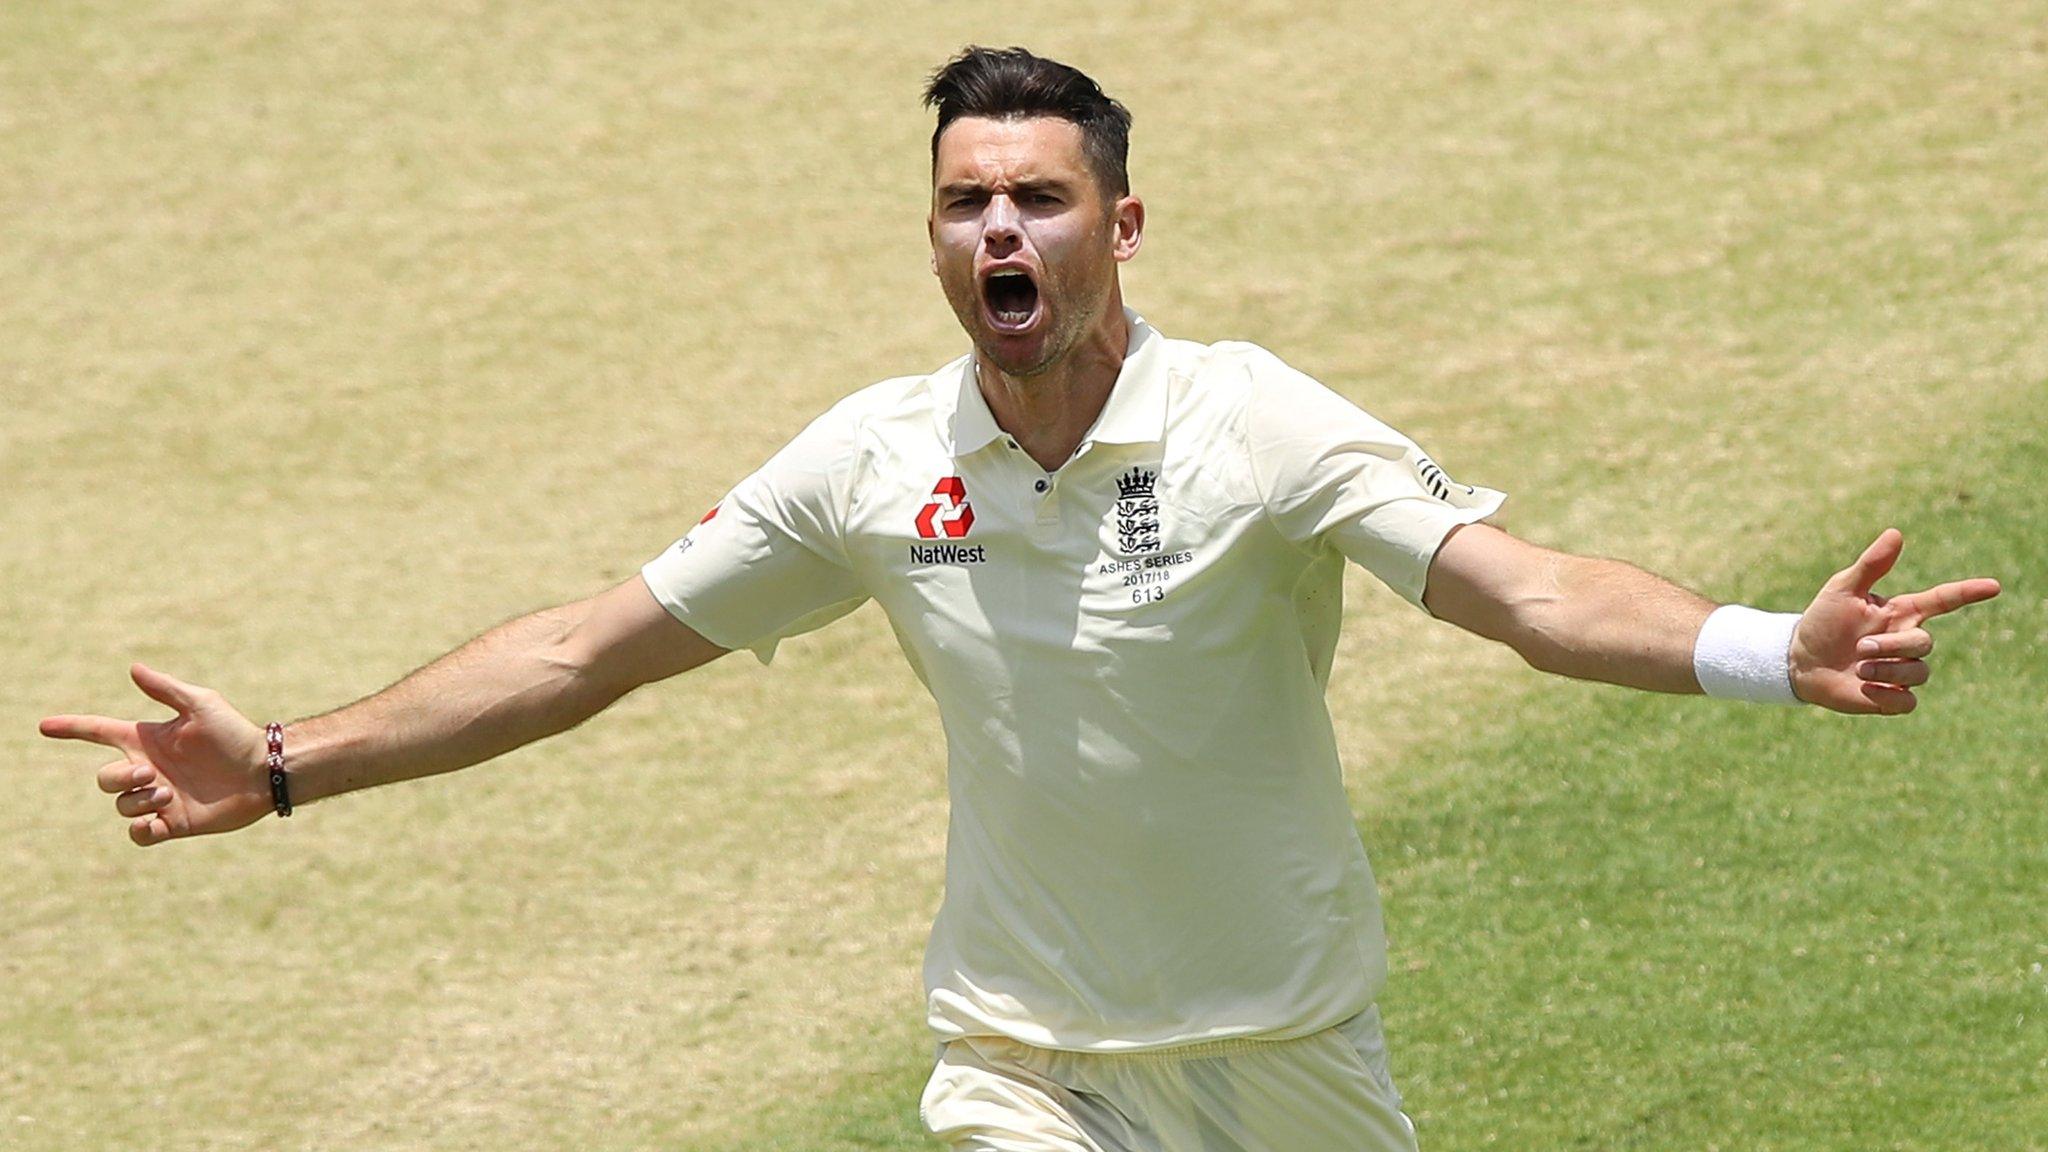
1050	411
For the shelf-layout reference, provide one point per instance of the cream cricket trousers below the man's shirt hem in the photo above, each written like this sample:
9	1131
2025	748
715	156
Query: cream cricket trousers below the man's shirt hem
1320	1094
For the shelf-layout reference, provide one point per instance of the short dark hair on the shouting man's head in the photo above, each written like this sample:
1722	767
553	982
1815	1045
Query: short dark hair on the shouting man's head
1011	83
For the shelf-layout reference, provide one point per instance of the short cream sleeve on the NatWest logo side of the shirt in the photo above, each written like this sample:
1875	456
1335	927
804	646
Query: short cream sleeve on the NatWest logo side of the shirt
769	561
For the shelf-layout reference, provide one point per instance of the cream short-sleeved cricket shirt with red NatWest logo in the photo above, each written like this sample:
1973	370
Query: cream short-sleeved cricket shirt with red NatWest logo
1150	839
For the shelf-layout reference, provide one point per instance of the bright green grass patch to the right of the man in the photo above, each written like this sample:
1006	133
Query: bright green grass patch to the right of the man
1656	923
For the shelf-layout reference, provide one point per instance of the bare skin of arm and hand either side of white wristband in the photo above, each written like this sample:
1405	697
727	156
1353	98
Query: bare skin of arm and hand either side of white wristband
1603	620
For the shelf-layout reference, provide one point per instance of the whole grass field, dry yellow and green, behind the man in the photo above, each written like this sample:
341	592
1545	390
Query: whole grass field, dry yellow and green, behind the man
333	335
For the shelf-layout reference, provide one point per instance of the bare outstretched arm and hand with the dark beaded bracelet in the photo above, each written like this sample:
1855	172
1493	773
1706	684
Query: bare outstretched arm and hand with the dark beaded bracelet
521	682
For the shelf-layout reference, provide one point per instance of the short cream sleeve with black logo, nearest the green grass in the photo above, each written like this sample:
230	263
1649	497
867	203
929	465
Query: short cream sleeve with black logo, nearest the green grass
1334	477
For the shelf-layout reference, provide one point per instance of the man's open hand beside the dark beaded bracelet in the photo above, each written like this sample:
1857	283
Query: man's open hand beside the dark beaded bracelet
198	774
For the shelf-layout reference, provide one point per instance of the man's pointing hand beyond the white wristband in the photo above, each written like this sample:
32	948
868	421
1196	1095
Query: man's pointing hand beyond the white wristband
1861	653
